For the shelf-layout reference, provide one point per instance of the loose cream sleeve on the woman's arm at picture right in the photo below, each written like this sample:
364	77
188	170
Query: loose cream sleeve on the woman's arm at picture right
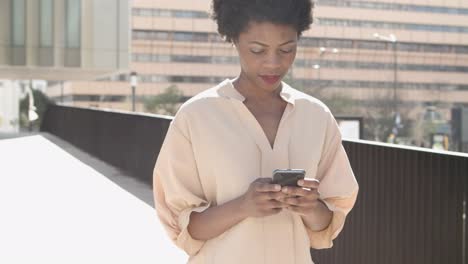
338	186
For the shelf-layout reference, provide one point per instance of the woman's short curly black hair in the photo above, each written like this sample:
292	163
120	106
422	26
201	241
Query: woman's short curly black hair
233	16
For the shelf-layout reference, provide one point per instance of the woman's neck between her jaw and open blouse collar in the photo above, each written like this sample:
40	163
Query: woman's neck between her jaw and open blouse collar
252	92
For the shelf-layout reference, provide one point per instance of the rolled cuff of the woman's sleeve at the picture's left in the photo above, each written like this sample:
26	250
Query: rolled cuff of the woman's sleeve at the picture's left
184	239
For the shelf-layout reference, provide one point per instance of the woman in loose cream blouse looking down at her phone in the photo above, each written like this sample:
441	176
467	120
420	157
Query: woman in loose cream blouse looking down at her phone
212	179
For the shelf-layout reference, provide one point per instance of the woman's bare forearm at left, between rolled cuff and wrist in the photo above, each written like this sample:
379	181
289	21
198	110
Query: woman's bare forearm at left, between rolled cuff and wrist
215	220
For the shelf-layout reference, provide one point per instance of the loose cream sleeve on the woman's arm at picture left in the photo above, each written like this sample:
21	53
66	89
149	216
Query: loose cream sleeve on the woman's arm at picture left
177	188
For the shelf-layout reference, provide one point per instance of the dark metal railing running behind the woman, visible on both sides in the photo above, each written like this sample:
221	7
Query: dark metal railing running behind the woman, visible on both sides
410	210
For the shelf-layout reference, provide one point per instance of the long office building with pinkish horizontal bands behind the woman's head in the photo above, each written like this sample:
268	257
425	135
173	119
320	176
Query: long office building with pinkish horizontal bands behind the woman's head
404	55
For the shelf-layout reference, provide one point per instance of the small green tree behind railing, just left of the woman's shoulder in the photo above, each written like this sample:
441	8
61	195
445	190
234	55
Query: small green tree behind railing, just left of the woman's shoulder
166	103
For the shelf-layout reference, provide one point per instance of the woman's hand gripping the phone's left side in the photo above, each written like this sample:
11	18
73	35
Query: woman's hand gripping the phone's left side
262	198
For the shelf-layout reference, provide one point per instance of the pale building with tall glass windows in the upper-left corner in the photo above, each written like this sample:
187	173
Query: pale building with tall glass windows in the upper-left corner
46	34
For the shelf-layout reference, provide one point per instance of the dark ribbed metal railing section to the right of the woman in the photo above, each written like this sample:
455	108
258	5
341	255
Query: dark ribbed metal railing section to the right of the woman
410	209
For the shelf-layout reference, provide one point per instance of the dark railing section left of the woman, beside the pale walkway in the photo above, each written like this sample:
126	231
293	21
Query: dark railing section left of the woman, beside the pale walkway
125	140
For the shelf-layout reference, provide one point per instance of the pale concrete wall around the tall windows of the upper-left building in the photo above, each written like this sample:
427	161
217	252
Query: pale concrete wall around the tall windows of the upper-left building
103	50
